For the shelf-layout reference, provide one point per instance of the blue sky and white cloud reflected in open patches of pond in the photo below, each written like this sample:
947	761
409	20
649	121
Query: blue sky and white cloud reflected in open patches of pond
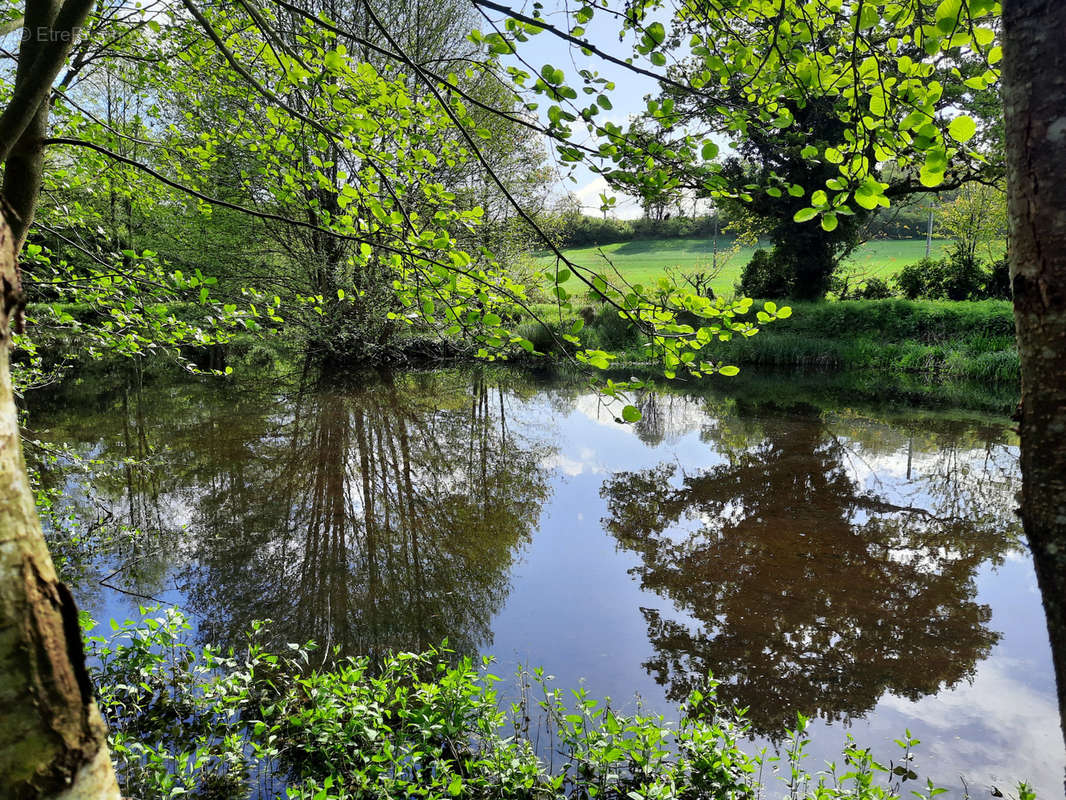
575	610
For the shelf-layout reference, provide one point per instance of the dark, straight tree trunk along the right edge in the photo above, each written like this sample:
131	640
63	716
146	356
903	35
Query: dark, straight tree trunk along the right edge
1035	95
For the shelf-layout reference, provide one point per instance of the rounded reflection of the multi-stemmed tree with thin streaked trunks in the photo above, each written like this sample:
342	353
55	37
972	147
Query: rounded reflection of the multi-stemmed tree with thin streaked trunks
373	519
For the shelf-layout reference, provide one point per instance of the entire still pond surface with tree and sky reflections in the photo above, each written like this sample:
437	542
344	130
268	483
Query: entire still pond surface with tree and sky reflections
860	565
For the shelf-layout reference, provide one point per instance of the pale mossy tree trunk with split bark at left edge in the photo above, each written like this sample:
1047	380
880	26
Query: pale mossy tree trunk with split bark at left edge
53	744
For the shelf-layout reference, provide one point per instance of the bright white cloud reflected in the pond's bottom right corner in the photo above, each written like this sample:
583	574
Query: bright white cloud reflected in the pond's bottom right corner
995	731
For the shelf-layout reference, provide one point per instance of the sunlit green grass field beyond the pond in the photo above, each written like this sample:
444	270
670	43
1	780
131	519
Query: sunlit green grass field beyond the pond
645	261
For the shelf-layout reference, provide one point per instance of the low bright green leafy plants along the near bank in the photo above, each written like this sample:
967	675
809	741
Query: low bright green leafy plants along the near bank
224	725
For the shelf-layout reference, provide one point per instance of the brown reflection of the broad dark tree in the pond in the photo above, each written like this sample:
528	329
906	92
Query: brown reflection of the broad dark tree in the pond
807	594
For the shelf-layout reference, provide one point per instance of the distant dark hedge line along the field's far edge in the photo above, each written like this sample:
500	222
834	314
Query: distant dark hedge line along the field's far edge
582	231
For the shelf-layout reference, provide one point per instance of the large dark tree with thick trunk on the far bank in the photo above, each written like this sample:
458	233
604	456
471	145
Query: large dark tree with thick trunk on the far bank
778	151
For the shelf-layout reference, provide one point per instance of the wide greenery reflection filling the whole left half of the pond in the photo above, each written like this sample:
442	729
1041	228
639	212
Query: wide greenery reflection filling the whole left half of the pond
379	517
